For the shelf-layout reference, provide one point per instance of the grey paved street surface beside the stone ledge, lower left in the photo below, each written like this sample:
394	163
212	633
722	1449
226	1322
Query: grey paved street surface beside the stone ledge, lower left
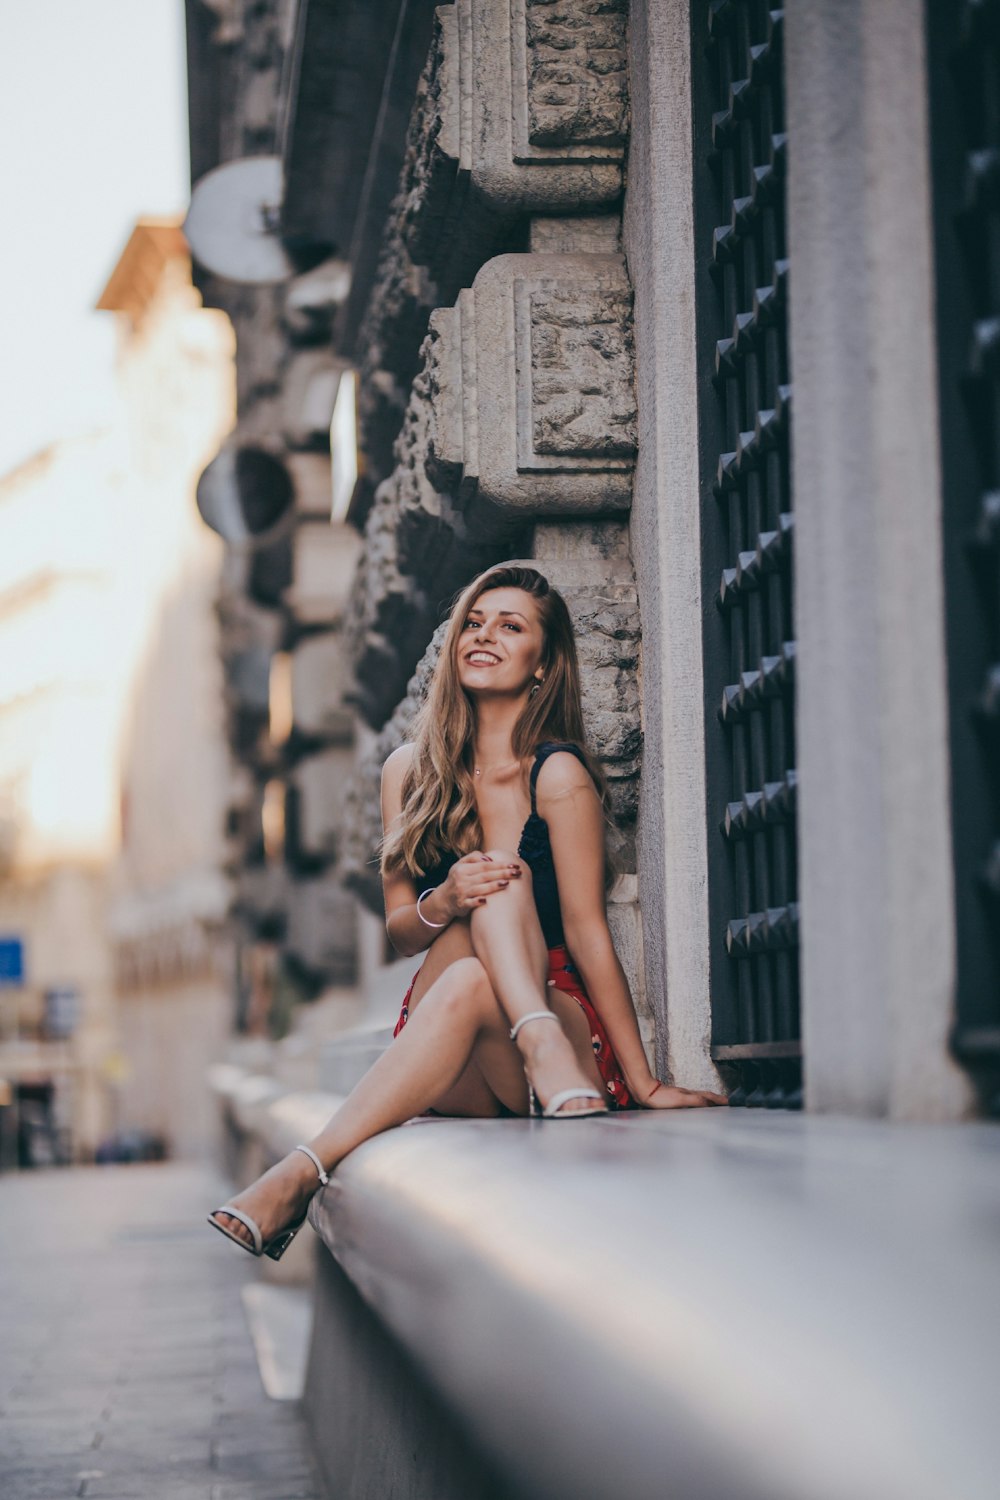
127	1369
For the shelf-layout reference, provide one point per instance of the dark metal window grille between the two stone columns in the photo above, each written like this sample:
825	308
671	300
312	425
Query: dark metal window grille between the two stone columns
747	535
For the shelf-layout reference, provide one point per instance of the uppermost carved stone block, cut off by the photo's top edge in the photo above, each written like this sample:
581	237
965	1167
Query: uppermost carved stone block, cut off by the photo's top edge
522	109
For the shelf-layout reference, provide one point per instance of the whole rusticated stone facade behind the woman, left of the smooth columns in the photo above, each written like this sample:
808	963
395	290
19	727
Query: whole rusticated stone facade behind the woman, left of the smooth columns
481	296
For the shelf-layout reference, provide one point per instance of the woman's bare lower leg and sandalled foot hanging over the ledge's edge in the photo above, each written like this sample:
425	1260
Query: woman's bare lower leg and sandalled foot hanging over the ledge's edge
424	1064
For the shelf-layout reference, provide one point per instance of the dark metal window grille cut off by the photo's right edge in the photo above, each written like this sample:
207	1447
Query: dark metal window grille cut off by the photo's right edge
965	97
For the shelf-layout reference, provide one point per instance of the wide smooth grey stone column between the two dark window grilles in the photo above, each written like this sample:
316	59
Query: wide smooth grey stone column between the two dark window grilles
876	868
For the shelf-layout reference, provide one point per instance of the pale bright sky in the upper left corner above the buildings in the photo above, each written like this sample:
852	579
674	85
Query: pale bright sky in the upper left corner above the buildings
94	134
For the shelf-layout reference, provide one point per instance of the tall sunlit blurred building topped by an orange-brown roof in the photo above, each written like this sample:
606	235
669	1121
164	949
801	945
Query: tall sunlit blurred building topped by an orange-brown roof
169	895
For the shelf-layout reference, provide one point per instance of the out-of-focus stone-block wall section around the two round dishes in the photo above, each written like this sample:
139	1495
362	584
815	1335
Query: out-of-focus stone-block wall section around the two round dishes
289	568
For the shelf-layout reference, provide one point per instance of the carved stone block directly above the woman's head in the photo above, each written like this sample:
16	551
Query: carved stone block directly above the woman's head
536	410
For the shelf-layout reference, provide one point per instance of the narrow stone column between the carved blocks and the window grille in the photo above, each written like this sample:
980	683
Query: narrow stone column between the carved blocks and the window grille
659	236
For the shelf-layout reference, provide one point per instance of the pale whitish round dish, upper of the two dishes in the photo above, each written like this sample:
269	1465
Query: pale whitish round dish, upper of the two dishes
233	224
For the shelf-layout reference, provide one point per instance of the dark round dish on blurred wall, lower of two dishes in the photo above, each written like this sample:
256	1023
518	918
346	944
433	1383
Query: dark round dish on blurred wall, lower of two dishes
247	496
